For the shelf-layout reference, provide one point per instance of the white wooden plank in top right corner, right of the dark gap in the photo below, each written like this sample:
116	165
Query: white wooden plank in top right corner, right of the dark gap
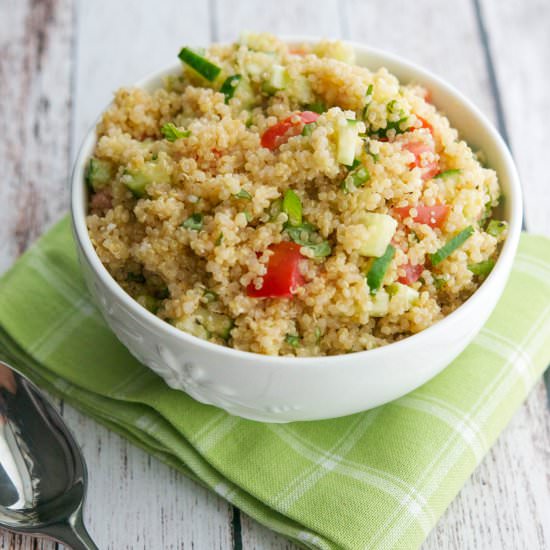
520	42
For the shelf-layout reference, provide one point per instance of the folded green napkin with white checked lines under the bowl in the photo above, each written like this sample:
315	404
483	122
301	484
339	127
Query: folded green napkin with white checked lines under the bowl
378	479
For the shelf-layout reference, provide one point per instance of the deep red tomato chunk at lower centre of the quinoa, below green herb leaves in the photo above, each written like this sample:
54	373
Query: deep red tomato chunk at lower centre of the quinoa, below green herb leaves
283	276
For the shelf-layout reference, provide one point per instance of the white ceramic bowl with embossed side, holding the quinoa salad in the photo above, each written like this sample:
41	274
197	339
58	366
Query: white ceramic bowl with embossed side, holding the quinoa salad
281	389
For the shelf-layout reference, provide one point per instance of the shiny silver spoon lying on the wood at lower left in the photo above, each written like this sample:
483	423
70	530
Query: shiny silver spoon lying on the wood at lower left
42	472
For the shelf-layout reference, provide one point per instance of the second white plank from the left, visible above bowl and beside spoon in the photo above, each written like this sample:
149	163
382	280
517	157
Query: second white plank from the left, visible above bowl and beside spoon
150	505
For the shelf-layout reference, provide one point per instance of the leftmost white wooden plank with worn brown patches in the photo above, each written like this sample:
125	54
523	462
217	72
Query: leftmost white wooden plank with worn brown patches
35	75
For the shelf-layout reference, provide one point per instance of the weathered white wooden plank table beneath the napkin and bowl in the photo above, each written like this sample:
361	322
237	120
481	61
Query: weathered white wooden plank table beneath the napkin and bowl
60	62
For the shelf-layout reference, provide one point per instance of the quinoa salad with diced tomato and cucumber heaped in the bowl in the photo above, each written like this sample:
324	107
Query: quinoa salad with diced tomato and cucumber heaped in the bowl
281	199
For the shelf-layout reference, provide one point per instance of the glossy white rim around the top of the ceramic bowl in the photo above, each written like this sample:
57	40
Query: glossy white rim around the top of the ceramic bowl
514	198
